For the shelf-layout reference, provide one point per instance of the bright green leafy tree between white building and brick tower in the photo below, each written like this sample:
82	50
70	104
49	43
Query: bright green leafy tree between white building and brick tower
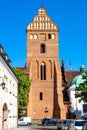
23	89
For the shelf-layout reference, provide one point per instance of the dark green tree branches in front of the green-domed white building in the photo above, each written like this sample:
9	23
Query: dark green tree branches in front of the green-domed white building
81	90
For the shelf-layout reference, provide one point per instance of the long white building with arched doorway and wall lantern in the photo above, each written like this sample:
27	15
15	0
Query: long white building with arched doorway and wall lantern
8	94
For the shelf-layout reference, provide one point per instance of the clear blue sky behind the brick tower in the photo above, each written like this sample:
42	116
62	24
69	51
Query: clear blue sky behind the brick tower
69	15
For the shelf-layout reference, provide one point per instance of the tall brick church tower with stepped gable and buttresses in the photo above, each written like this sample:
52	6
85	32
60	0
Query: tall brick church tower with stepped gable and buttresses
42	64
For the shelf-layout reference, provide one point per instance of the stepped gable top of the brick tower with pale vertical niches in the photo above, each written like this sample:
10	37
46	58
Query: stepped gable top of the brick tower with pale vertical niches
42	21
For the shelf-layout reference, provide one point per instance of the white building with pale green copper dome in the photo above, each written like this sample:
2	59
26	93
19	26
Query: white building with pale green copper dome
77	107
